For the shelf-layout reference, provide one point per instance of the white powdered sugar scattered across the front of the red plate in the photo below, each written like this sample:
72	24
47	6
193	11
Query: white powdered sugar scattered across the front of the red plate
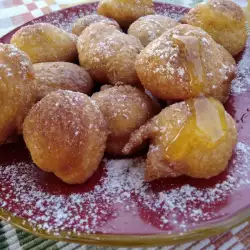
173	208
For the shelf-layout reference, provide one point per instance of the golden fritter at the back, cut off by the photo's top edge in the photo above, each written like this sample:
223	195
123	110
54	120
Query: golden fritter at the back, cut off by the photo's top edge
125	12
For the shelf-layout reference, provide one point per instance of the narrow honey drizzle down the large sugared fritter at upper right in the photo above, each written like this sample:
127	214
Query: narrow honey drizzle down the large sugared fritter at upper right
190	46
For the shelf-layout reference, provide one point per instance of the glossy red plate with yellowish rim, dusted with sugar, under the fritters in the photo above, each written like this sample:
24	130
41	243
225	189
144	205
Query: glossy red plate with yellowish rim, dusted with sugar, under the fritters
116	207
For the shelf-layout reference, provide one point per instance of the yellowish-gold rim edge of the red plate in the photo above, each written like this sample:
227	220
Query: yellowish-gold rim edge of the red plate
126	239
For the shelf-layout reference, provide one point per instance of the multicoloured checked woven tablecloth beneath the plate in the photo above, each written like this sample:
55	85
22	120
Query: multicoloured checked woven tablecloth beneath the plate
16	12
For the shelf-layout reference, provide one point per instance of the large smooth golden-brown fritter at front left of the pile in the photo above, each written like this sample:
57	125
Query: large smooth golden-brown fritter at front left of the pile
66	134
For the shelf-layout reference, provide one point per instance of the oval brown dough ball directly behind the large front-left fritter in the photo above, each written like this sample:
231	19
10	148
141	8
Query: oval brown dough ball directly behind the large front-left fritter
52	76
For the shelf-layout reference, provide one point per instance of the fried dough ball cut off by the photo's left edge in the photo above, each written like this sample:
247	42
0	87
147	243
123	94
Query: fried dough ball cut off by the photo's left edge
17	87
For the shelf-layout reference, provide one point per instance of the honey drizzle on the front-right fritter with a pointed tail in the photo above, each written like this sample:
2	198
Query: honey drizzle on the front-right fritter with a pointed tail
206	125
